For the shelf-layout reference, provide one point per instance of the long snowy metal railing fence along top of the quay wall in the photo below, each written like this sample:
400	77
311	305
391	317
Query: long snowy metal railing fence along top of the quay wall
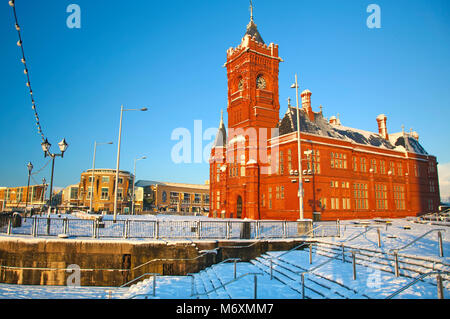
167	229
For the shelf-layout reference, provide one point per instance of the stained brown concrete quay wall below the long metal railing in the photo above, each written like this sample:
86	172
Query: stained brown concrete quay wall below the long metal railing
37	261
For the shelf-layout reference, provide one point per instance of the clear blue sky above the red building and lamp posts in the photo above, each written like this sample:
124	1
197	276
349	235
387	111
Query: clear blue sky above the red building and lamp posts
169	55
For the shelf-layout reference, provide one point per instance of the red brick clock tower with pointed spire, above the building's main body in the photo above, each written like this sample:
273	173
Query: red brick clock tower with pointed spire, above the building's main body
252	71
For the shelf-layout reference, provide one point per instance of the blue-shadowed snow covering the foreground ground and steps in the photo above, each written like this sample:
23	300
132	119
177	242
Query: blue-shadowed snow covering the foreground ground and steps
336	275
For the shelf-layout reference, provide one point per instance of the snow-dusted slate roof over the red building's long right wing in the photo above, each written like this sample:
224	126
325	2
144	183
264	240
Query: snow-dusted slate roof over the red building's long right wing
320	126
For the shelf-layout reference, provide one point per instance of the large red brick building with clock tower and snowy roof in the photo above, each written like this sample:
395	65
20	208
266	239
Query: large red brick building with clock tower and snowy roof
347	173
